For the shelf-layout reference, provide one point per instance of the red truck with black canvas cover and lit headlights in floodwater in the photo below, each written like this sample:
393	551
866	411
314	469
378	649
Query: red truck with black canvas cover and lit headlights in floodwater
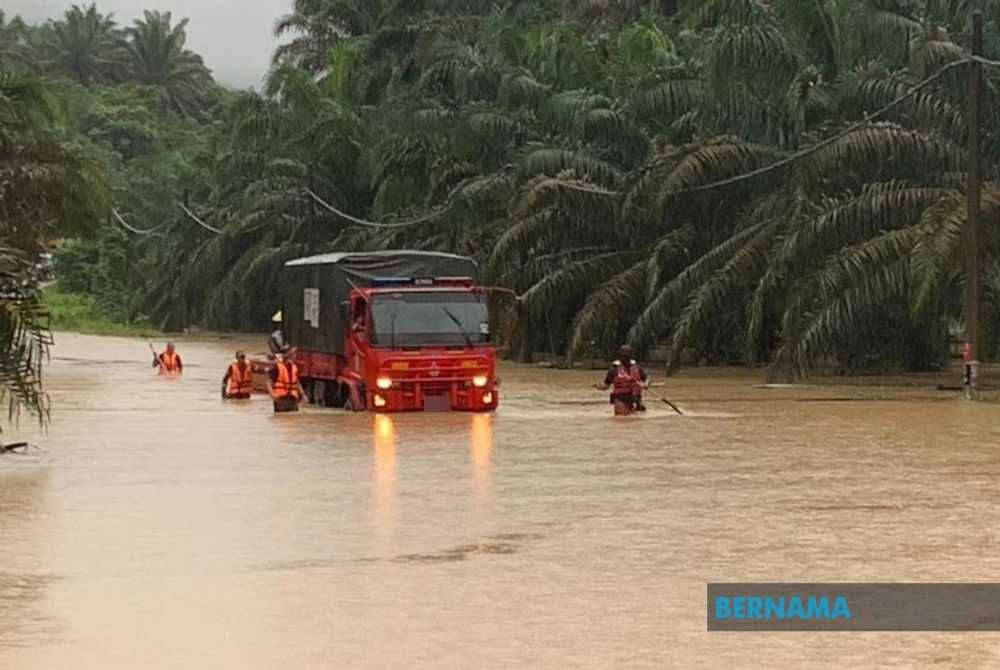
390	331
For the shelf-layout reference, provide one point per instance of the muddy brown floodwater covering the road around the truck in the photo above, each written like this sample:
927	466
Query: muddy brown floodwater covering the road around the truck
165	528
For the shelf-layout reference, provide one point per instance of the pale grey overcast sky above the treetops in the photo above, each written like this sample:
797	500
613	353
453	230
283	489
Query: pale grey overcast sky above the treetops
235	37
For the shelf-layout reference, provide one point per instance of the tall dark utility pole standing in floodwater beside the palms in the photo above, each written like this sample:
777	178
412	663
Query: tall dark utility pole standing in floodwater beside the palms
972	237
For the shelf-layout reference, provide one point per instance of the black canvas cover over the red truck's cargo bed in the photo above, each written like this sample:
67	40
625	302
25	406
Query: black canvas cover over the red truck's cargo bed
315	288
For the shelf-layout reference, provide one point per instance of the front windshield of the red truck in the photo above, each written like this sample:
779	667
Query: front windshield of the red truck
432	318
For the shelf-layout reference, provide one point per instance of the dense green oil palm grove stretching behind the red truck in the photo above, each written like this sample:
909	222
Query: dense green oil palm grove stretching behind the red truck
568	147
